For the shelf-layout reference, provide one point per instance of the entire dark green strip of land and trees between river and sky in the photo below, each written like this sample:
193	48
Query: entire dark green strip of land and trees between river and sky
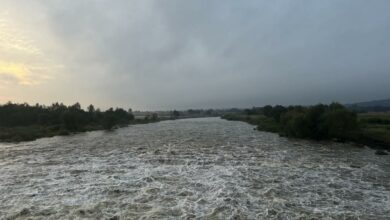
336	122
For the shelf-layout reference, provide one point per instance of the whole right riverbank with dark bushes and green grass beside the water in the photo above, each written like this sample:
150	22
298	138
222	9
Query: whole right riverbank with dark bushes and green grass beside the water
320	122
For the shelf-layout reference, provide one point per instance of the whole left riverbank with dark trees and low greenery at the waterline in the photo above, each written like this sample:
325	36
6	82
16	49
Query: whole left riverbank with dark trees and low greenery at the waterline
23	122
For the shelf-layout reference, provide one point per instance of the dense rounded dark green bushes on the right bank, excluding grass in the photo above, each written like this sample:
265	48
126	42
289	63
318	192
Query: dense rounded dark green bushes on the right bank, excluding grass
317	122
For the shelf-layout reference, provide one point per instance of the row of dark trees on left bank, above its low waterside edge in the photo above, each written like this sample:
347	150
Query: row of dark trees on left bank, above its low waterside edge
71	118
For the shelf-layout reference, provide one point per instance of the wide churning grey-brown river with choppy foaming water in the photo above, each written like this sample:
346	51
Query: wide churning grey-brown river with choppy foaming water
191	169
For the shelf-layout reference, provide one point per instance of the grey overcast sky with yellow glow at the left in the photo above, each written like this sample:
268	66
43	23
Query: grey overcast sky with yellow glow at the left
165	54
